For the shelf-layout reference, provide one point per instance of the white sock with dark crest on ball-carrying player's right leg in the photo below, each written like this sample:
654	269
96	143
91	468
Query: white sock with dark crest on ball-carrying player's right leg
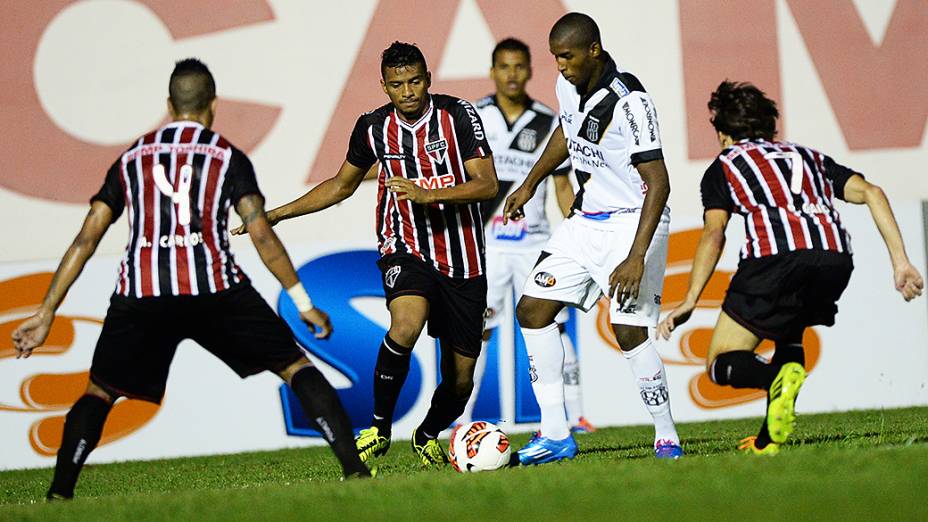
651	378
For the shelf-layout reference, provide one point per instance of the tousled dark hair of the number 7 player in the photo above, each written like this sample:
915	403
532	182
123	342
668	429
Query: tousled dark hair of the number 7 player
741	110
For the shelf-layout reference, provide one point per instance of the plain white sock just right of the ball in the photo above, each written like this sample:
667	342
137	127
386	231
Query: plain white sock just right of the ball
546	360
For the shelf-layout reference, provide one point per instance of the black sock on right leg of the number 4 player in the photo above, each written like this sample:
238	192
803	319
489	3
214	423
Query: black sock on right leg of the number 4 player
322	407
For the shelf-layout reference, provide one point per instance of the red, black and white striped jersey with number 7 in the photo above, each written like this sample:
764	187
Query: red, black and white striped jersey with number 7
784	191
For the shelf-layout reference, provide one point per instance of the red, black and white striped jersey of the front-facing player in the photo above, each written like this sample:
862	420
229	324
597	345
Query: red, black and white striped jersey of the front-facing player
431	152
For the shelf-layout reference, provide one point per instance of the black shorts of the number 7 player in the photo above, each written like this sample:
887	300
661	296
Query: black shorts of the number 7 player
777	297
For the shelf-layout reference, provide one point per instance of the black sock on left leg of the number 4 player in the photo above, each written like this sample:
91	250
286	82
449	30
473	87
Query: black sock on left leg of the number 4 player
82	429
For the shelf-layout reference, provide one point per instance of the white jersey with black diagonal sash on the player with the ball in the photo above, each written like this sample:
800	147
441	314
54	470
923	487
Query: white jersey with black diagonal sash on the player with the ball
609	131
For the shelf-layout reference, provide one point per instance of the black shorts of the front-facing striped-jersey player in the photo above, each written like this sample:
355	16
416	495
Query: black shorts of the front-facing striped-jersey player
456	306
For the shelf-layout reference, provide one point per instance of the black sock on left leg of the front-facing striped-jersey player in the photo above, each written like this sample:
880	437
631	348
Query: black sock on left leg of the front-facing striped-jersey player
389	377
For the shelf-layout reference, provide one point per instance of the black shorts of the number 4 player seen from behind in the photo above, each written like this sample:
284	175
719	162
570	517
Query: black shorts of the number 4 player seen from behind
140	336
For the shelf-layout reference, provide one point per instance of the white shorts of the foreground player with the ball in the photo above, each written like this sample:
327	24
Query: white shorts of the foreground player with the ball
582	256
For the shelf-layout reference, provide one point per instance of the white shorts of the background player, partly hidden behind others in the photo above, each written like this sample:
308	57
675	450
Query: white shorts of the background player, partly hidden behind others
506	274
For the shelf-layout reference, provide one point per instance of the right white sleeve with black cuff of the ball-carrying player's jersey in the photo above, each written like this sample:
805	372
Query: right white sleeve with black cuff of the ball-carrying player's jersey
638	119
